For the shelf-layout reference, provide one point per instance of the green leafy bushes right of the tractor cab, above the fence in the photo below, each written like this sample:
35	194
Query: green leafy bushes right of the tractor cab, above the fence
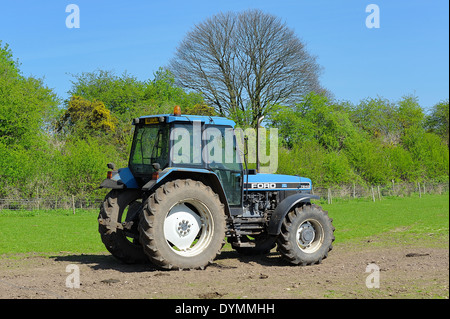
374	142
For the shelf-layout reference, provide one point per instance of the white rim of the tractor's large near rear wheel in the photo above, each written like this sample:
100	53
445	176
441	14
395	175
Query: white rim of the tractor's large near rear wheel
188	227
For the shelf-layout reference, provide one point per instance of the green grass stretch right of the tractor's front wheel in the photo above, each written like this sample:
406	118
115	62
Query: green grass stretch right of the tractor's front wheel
396	219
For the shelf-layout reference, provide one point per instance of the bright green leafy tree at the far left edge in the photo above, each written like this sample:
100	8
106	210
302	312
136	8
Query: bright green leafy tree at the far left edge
27	108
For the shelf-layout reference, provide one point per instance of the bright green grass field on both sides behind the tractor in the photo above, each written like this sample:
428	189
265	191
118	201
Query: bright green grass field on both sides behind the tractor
397	220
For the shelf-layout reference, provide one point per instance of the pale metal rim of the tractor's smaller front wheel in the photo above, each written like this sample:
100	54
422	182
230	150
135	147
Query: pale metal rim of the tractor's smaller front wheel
310	236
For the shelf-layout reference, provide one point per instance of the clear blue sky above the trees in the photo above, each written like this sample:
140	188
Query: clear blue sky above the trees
408	54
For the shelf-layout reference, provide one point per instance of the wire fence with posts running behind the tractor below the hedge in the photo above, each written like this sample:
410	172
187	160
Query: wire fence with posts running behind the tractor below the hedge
354	191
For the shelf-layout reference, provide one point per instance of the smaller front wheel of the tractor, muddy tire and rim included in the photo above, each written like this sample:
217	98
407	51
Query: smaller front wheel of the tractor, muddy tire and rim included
306	235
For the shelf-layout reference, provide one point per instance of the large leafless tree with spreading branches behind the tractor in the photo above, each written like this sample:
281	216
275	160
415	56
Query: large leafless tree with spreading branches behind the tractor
244	63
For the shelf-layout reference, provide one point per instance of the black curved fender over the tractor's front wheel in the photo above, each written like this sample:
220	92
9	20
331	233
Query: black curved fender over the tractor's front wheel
280	212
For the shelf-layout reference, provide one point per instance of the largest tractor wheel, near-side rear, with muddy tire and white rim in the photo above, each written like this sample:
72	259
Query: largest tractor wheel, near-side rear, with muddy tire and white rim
183	225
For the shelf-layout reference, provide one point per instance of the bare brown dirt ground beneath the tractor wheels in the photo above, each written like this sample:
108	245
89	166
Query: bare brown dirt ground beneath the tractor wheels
404	272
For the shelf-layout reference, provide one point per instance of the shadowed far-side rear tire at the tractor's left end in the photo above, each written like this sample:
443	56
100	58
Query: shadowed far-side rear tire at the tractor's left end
118	229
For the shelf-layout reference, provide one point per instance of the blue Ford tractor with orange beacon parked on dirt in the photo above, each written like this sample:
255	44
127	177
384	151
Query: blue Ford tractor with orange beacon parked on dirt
175	206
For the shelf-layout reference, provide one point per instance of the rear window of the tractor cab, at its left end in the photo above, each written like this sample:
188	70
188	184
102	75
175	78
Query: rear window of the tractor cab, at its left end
150	145
